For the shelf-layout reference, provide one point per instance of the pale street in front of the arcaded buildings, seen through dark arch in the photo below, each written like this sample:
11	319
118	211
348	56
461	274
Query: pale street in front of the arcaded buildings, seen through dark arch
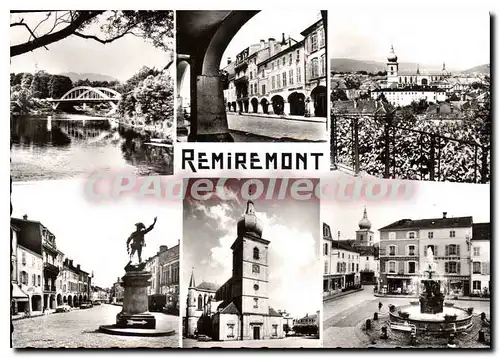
250	128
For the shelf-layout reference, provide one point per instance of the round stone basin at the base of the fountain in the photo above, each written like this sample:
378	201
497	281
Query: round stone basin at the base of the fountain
433	323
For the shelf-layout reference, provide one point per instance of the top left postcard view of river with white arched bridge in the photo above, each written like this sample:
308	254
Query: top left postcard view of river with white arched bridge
90	90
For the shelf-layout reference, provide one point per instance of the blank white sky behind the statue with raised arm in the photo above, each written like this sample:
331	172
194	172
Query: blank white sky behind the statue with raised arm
94	235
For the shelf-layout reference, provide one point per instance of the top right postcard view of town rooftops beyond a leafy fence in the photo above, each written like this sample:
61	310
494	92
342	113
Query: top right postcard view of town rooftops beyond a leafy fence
407	105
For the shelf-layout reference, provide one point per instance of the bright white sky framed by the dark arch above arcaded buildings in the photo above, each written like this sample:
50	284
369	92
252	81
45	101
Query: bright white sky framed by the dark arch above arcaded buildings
266	24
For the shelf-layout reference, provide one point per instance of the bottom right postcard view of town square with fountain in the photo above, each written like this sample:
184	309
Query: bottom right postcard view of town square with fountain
409	274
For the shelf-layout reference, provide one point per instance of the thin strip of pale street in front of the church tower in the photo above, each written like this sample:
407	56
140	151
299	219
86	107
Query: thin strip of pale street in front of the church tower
289	342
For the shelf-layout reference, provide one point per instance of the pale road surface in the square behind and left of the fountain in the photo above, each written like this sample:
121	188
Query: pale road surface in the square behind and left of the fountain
341	316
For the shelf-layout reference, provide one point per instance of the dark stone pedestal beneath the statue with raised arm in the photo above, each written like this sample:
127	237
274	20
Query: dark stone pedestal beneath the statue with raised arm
135	312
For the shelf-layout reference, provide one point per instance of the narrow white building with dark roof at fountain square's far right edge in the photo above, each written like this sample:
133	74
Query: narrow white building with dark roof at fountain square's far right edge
480	259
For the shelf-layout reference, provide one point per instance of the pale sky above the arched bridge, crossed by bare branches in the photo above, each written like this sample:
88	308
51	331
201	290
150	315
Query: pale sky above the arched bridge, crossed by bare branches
120	59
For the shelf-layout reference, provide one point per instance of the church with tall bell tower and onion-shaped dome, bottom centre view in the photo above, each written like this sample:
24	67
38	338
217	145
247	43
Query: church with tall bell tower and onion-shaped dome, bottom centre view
239	309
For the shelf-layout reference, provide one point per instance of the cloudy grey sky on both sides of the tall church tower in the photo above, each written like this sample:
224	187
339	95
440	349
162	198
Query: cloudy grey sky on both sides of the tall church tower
292	227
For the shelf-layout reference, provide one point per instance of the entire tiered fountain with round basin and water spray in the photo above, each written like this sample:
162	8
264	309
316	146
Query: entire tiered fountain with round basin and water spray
431	314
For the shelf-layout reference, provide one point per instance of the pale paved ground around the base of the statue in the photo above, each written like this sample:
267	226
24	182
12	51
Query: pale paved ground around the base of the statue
79	328
